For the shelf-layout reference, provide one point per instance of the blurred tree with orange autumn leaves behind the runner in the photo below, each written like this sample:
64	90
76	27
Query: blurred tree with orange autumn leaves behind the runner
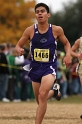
15	16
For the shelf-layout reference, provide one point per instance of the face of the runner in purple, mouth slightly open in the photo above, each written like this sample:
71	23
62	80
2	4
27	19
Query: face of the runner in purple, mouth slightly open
41	14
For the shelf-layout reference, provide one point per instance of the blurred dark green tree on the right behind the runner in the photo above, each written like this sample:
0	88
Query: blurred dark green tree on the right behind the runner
70	19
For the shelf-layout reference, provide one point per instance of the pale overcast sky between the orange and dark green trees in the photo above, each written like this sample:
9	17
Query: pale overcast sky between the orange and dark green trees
55	5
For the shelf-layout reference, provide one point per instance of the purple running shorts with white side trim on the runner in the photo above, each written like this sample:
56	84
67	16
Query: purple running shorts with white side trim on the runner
37	72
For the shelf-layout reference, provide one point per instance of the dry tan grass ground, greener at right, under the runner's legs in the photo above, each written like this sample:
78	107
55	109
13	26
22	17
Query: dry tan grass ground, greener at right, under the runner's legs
66	111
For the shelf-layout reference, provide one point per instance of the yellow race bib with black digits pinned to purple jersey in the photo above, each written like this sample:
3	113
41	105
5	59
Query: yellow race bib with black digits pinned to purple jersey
41	55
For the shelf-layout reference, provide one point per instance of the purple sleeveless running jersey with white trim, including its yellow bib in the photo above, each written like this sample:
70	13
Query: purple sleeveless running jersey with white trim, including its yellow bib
43	47
